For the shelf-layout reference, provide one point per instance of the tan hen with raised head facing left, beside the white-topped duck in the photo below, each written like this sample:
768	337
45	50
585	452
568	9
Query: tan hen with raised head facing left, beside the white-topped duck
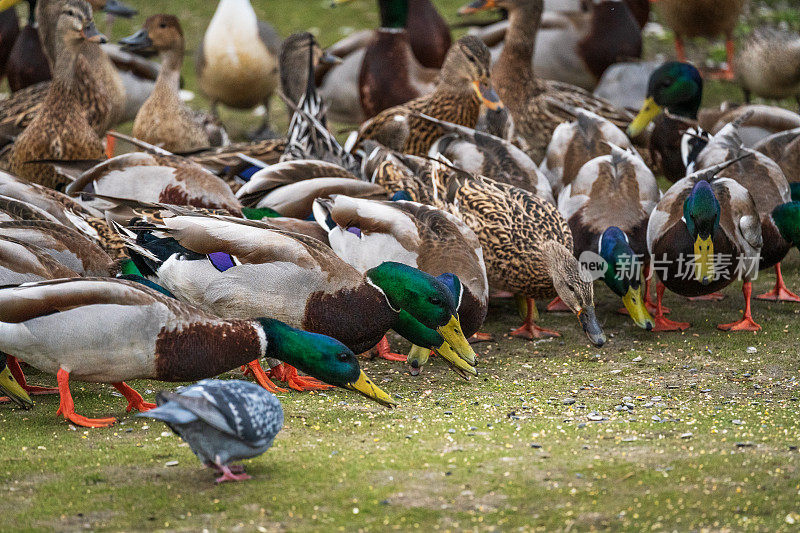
164	120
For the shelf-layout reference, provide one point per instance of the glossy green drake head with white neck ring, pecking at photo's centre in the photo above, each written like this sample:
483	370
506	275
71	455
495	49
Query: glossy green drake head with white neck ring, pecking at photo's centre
426	299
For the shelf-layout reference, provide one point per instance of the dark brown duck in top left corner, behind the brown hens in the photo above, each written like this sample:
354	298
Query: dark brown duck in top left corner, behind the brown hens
27	63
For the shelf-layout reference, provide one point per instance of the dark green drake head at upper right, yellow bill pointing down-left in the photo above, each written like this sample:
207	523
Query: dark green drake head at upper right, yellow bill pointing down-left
675	86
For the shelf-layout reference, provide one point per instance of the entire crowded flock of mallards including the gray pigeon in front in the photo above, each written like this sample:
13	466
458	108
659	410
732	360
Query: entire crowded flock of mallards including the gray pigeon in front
469	174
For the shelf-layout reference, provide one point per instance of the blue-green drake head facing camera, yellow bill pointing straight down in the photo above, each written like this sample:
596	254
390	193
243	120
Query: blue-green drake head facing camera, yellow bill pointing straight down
701	212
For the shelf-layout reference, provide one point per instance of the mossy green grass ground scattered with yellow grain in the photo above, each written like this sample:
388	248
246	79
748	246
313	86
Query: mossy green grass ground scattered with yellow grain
710	443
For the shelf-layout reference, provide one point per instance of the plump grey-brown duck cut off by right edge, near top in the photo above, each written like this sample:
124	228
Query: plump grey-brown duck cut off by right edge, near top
769	65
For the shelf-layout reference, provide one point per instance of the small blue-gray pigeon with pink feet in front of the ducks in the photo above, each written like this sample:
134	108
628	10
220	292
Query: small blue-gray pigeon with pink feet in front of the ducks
222	421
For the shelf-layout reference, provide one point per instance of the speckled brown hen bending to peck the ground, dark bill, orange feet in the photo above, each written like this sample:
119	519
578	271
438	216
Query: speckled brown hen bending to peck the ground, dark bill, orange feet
527	246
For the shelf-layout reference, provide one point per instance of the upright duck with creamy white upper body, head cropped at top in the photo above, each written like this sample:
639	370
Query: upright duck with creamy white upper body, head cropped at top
237	60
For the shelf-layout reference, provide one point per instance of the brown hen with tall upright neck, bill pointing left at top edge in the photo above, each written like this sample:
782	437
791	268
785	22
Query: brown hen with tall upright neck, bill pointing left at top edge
526	96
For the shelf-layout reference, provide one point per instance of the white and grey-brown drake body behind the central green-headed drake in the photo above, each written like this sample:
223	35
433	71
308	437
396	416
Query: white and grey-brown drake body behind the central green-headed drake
367	232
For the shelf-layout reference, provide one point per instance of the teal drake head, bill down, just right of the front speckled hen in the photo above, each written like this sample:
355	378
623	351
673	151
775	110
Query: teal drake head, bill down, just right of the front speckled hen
623	275
